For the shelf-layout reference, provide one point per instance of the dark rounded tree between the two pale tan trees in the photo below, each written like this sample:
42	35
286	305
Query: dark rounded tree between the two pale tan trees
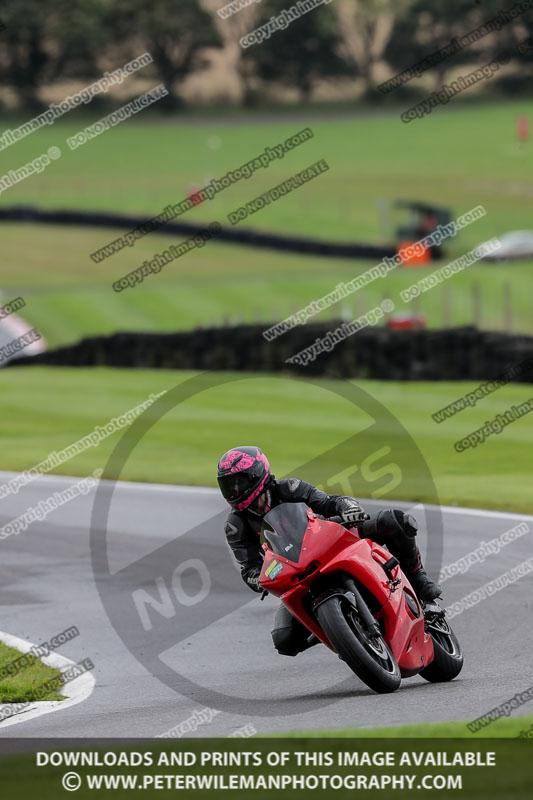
305	51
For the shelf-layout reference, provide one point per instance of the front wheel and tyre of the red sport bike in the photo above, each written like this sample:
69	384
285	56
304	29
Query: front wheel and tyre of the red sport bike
369	657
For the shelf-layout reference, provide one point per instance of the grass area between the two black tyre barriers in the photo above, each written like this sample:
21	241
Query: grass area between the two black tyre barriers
68	298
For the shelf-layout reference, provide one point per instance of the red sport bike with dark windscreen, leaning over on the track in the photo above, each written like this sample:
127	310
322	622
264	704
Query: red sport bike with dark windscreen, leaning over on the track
352	595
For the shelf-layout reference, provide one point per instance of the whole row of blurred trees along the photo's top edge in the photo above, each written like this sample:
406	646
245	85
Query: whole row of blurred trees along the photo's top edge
43	41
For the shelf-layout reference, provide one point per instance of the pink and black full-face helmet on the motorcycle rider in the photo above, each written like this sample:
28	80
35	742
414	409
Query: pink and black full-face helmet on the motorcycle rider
242	475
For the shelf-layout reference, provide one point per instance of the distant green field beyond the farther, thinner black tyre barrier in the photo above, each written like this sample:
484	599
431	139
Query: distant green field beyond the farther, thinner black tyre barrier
461	157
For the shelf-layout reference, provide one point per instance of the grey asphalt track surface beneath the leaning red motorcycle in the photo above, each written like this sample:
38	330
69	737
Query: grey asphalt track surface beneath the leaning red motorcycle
47	585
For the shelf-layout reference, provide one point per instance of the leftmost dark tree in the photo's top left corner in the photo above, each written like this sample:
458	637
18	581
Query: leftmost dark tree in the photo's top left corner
44	38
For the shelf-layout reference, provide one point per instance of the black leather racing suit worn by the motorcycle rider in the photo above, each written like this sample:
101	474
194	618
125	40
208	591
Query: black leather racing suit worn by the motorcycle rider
391	527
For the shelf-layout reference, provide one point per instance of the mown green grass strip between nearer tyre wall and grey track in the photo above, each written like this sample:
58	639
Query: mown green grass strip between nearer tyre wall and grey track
46	409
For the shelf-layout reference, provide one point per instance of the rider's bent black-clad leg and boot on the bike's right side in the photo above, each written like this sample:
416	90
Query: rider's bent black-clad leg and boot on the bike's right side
397	530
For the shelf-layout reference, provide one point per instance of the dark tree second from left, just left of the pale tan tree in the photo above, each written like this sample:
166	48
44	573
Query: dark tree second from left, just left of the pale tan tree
174	32
